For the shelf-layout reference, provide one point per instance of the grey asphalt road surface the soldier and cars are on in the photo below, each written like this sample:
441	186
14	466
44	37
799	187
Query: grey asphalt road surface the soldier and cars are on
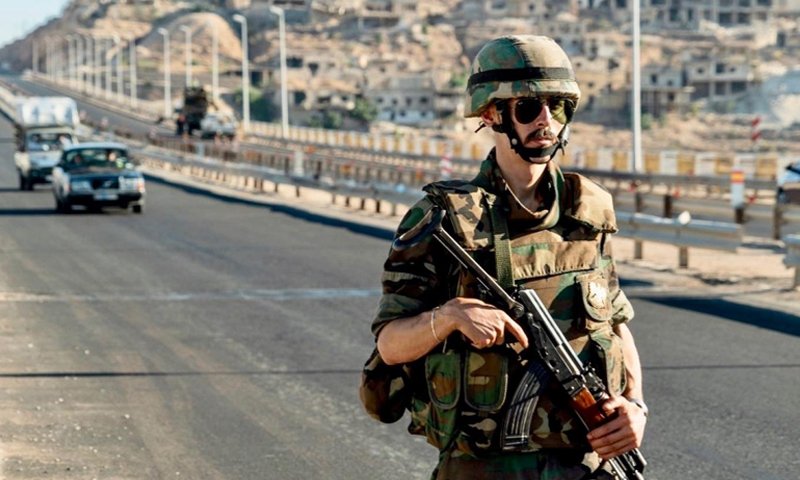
213	339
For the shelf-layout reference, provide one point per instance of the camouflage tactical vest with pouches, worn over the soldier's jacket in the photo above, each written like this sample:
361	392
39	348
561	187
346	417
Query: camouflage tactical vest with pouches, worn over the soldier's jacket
463	400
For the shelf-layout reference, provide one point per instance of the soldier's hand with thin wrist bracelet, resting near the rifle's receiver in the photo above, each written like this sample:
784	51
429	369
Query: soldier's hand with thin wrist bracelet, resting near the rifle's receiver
483	324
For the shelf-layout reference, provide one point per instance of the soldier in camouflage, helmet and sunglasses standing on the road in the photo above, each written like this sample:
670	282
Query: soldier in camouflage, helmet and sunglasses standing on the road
531	225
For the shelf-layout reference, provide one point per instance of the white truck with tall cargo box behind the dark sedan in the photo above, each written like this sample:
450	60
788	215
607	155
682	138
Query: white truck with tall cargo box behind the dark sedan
43	127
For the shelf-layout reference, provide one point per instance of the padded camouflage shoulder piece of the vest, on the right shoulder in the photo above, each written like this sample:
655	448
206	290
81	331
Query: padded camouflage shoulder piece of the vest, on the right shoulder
589	203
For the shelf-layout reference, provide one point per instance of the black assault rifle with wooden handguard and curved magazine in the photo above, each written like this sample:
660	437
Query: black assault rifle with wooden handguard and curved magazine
552	350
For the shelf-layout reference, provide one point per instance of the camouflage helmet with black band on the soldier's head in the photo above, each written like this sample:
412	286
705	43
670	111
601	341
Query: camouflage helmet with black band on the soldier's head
519	66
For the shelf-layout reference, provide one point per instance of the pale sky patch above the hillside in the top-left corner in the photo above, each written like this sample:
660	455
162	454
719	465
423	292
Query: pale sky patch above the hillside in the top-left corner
19	17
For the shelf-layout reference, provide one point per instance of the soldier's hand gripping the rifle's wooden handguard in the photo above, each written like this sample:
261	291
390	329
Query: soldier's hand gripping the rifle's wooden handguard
622	433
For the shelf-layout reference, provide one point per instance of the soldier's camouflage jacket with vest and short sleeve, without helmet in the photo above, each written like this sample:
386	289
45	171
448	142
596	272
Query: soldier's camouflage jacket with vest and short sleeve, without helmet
562	251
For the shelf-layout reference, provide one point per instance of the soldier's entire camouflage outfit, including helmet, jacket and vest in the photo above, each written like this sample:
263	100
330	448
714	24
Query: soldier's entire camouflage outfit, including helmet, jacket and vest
459	395
